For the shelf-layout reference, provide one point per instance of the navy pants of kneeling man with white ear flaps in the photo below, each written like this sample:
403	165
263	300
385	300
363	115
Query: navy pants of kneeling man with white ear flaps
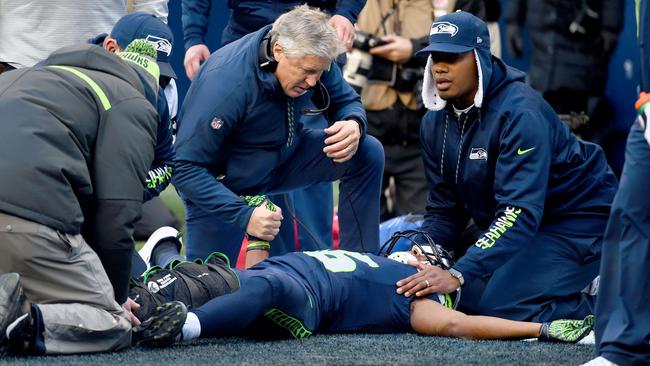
542	282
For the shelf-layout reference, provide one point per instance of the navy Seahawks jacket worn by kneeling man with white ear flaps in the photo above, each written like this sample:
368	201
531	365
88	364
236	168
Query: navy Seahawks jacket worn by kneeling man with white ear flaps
512	166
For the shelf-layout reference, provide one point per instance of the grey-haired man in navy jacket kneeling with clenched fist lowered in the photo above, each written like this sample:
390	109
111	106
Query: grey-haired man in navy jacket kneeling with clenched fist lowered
239	134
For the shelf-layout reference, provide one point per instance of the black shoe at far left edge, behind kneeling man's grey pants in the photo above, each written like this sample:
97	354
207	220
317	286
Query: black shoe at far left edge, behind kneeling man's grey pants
11	300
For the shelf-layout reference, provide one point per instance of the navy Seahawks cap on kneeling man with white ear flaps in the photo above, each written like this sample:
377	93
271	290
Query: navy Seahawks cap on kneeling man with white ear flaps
456	33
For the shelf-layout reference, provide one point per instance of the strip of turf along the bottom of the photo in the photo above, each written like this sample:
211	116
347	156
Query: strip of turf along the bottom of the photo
402	349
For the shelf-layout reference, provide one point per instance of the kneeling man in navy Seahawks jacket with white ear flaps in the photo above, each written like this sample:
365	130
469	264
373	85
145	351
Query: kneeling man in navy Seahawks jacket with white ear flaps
495	152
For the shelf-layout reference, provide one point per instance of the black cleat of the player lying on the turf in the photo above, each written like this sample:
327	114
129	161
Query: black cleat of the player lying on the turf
162	328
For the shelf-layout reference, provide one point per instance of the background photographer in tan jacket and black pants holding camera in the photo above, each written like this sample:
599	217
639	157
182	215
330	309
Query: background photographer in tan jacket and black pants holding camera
384	71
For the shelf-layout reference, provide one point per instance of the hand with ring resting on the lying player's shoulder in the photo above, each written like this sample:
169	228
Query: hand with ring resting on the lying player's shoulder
430	280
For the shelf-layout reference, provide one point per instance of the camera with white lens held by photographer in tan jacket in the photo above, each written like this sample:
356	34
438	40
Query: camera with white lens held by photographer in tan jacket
362	67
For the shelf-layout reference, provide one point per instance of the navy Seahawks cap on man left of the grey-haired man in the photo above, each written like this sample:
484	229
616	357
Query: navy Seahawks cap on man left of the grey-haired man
140	25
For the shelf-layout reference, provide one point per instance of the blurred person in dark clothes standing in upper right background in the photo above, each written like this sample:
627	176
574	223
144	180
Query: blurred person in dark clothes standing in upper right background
572	42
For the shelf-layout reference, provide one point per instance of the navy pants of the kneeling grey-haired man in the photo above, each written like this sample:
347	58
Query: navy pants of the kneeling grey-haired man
360	183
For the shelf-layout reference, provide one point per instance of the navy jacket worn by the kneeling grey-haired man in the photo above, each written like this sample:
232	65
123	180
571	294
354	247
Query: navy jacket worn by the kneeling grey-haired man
233	130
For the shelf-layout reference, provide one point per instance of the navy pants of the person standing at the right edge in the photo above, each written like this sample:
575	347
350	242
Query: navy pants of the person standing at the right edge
622	309
